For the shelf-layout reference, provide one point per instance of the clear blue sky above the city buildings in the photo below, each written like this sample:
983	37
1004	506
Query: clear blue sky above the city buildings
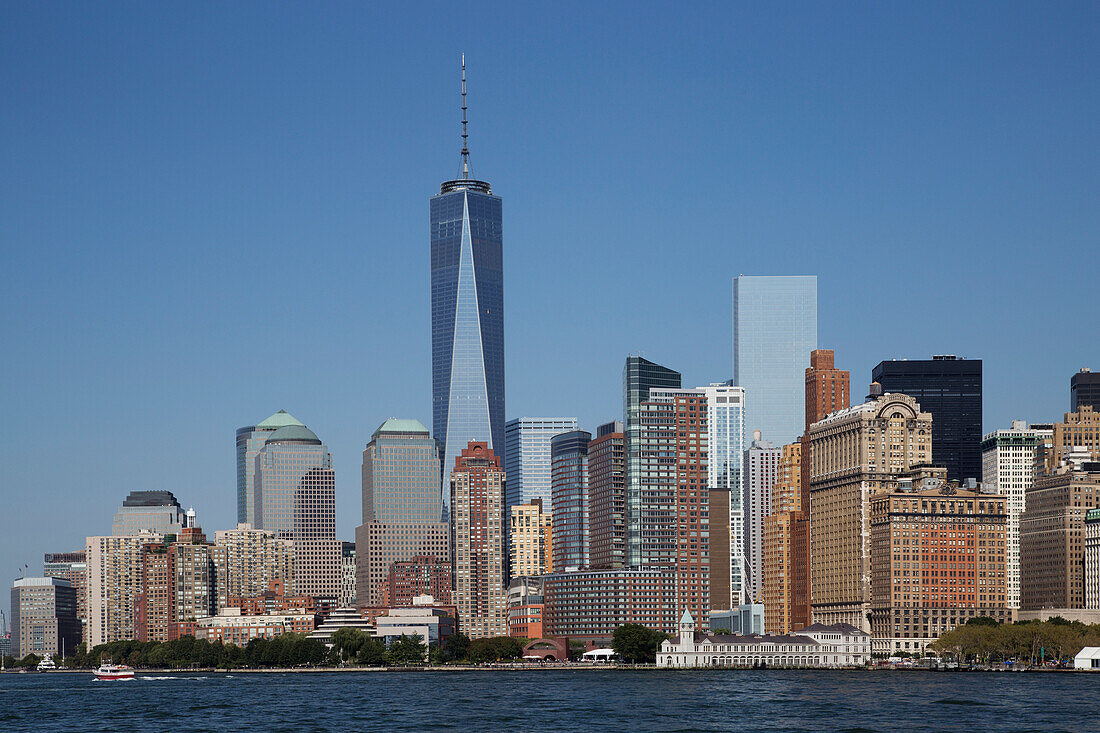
211	212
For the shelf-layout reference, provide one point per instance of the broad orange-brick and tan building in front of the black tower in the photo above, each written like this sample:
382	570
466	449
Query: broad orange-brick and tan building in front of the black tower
938	561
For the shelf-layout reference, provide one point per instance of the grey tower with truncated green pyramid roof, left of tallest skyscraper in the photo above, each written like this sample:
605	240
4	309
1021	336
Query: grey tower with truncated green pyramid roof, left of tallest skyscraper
403	509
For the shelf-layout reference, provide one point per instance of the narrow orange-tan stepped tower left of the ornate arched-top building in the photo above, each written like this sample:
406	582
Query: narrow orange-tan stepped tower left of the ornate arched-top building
778	548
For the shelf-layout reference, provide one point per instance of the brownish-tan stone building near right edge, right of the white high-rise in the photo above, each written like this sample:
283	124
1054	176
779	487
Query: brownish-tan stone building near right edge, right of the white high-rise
1052	534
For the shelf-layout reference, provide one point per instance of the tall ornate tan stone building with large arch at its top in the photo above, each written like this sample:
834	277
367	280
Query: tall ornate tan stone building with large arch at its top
855	454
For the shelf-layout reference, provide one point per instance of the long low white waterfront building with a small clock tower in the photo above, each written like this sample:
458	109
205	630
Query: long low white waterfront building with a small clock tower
840	646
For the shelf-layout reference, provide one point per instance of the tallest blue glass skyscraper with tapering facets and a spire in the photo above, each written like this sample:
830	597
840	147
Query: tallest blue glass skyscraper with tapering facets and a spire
467	313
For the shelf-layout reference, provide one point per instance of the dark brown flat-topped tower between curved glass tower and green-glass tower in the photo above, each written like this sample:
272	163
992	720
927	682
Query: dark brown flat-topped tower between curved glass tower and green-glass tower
608	498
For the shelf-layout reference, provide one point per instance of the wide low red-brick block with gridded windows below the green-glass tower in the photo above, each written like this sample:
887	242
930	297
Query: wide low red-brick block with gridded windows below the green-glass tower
591	605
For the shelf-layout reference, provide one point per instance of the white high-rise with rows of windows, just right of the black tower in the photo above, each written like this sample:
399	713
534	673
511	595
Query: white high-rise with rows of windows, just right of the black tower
1009	460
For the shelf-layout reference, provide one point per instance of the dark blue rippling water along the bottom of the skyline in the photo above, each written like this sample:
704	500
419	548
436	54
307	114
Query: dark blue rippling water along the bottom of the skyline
494	701
